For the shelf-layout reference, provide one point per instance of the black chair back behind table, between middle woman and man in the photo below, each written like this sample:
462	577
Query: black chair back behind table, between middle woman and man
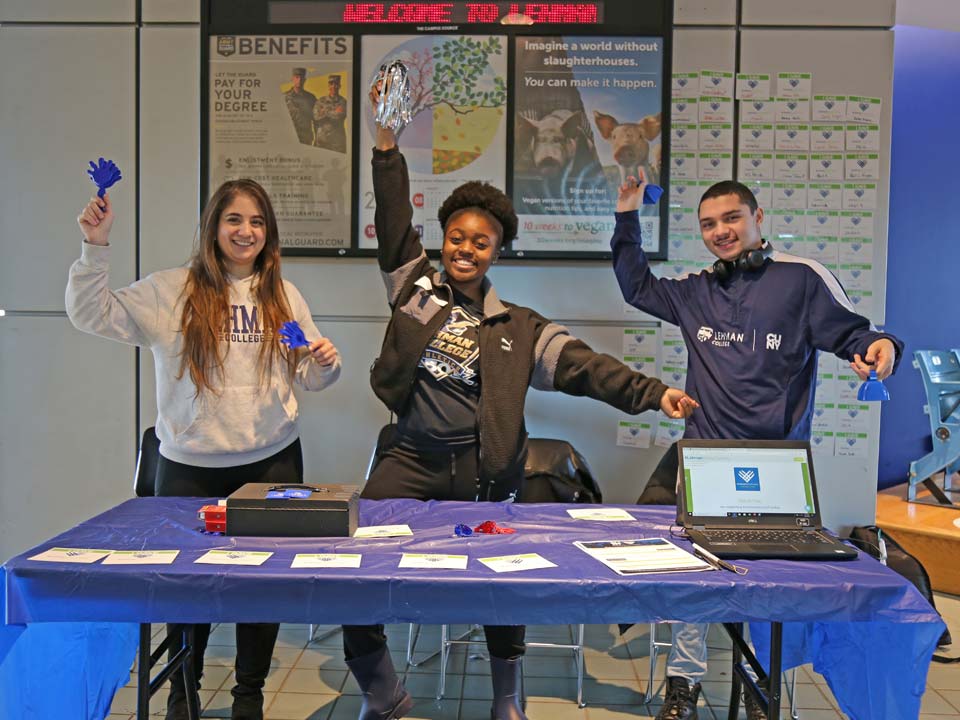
556	472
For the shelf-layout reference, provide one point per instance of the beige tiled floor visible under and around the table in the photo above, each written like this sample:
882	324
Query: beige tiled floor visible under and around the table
309	680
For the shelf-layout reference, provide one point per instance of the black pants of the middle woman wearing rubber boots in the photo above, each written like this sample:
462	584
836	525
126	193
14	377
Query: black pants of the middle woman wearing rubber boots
404	472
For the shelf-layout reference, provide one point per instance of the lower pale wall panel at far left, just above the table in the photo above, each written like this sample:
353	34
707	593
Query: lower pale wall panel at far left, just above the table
67	445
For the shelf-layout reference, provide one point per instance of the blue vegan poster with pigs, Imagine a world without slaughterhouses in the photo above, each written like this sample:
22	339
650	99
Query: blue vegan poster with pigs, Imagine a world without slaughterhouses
587	116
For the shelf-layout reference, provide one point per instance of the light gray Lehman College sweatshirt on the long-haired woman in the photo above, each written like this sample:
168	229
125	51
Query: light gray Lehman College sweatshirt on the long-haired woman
241	423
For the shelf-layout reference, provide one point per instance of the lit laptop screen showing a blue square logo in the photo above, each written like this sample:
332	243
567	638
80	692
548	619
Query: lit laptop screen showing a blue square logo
748	481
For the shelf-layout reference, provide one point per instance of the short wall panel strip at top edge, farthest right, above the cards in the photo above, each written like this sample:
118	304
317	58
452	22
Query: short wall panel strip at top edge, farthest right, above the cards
821	13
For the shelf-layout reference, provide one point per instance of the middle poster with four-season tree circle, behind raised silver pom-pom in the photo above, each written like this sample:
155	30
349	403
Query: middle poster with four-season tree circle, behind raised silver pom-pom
458	96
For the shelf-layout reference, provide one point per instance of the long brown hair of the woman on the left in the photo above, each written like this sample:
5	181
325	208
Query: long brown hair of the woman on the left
206	308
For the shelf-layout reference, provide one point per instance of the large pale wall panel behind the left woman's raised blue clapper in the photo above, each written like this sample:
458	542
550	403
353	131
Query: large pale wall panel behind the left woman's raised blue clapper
67	98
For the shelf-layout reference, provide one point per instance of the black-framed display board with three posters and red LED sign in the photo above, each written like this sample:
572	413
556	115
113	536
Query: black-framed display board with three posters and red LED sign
557	103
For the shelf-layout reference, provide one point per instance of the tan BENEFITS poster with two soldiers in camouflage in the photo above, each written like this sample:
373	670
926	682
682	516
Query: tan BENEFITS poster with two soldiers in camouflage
279	114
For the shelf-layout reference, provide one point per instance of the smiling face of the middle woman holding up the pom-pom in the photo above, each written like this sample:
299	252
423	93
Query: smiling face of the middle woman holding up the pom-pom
471	242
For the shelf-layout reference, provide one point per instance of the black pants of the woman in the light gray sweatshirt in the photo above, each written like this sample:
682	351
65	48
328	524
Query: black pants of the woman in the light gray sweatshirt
255	641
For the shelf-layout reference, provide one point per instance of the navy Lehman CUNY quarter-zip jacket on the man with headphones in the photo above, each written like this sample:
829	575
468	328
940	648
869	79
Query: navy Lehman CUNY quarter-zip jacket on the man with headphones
752	341
